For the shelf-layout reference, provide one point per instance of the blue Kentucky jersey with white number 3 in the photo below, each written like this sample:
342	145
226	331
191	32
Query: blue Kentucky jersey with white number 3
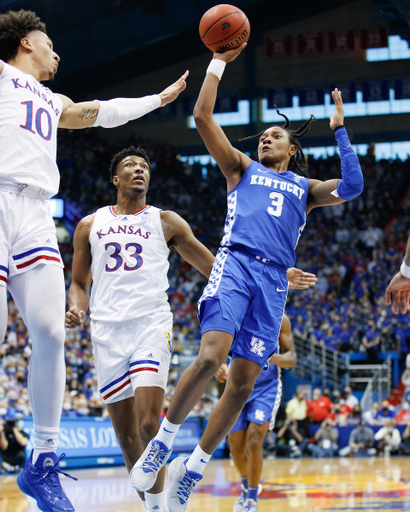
267	214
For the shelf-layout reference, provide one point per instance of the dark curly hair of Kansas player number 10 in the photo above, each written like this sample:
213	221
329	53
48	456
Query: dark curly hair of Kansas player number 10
13	27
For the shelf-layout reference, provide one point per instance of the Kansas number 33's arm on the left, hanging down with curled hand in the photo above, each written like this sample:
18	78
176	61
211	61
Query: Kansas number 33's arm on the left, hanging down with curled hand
79	292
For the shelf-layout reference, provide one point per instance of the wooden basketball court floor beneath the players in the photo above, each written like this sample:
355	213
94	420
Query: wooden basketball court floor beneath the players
381	484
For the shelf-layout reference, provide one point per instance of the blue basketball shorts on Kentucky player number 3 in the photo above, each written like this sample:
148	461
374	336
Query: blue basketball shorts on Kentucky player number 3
246	297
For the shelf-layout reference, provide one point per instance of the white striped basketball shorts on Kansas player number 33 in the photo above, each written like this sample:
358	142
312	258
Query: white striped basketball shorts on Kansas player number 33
131	354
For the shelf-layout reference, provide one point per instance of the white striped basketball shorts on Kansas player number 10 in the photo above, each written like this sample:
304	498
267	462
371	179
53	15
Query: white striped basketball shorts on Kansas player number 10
27	235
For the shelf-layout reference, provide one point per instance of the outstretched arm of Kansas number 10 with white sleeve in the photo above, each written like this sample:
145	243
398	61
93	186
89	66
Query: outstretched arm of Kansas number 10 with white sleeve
117	111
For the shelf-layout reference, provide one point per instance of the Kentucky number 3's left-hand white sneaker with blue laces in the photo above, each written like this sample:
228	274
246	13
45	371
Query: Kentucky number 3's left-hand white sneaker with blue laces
145	471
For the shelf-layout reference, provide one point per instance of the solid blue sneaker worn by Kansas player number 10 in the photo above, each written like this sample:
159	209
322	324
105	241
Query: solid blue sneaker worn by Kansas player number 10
41	481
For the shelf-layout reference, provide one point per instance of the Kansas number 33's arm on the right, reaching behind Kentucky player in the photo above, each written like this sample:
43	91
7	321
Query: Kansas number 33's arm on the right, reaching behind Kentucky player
178	233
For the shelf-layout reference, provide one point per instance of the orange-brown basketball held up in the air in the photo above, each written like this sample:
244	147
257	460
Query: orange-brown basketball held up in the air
224	27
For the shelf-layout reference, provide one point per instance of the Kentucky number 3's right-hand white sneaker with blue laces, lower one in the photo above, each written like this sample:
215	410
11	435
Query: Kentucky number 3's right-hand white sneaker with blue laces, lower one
181	484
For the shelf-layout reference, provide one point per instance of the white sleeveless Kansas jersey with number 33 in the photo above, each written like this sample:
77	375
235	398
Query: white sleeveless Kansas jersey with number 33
129	265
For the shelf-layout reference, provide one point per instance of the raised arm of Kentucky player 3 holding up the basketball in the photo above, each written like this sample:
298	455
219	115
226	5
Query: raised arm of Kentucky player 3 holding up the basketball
231	161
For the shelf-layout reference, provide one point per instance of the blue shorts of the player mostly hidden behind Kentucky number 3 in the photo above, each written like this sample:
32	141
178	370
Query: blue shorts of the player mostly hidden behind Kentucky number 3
260	407
